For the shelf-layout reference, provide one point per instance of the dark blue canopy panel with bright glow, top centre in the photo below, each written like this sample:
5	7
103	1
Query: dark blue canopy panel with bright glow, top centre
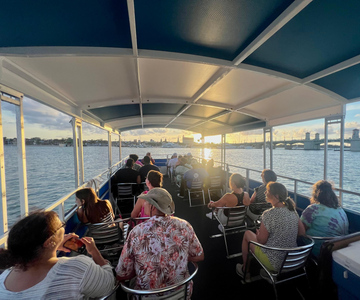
213	28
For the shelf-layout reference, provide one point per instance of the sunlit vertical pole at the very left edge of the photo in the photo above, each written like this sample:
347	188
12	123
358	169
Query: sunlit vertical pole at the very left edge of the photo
3	206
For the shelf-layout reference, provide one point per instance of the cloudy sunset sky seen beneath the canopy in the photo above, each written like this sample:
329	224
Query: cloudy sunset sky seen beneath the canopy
47	123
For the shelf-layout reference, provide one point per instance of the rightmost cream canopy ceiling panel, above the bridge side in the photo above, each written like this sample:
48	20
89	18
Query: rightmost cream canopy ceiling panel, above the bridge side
292	102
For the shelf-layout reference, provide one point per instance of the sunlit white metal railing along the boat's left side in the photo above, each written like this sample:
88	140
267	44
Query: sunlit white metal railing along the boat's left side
97	182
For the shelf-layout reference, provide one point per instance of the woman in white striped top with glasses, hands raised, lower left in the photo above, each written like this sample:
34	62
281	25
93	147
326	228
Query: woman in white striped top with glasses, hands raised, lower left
36	273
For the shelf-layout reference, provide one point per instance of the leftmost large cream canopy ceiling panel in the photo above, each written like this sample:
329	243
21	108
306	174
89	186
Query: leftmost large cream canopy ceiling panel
84	79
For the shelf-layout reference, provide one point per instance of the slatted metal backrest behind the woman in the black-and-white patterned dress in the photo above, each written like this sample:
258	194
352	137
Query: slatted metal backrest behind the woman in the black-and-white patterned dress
296	258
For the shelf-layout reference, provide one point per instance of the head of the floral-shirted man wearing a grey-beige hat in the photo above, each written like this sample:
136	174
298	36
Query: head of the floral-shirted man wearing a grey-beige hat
158	202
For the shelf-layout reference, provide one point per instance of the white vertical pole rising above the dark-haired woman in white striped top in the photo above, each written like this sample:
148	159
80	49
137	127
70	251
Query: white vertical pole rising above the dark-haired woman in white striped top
24	205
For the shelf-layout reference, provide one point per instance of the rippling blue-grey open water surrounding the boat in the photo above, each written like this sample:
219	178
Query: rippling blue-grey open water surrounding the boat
51	170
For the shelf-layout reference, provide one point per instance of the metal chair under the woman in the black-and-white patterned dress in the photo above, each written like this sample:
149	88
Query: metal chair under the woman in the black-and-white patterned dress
295	259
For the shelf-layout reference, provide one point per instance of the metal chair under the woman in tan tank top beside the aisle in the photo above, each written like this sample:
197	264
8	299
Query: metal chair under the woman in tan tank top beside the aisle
236	223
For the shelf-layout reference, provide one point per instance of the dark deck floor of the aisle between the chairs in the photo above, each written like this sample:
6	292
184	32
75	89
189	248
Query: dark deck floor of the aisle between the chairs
216	277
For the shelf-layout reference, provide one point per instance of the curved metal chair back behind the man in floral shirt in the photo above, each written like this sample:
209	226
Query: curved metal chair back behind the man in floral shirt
174	292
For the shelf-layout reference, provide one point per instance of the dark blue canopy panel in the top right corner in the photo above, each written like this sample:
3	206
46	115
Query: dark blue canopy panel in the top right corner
324	33
